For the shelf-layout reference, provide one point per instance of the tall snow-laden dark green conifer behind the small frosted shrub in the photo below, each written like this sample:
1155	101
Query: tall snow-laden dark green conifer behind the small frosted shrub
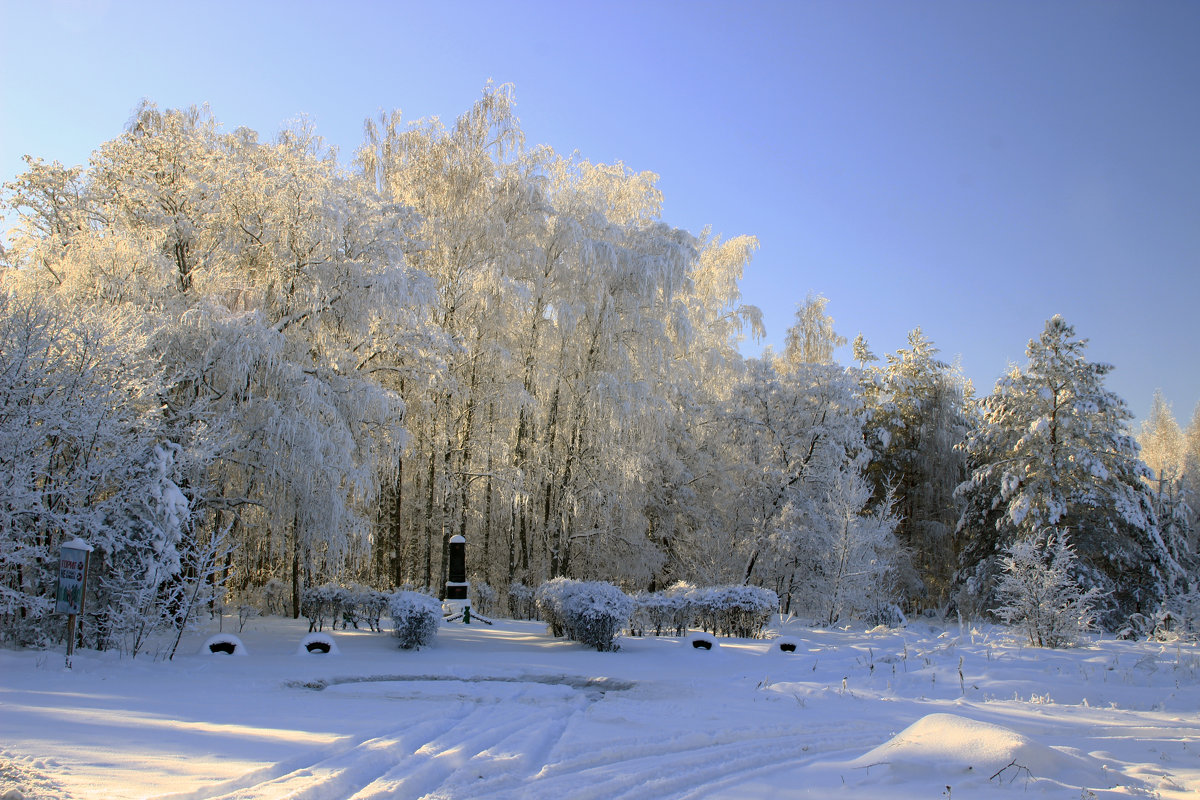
1053	452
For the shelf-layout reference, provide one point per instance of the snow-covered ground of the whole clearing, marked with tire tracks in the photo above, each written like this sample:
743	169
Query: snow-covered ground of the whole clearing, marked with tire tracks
508	712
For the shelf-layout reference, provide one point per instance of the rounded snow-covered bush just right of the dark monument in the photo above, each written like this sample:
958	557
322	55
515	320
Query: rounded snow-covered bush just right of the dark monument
591	613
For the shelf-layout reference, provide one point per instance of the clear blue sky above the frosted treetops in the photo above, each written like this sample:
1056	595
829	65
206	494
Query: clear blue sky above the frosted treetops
971	169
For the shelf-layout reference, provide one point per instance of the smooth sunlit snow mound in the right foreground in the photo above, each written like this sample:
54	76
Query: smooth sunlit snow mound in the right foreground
949	745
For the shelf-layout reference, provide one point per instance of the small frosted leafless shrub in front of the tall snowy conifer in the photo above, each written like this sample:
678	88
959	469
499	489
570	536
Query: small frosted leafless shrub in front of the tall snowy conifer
1040	593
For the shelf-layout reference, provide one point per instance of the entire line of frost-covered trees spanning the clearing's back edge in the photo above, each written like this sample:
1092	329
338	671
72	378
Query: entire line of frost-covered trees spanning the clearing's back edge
231	362
